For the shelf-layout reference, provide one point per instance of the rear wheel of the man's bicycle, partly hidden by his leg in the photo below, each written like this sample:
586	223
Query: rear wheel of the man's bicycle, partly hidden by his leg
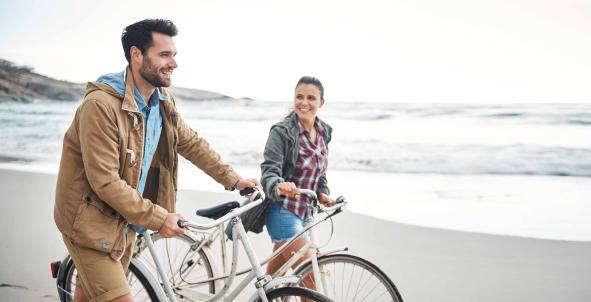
140	287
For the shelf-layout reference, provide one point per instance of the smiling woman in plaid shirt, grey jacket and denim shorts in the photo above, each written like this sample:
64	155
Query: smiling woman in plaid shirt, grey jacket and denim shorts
296	156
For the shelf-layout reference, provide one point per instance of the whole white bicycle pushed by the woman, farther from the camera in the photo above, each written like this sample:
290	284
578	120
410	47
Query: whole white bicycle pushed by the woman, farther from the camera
364	279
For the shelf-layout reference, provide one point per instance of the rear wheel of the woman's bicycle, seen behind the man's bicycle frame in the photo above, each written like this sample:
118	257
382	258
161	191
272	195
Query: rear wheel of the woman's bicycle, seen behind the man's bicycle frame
184	265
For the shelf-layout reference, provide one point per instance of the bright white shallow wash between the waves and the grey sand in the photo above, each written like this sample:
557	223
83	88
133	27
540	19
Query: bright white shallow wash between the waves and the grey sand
527	205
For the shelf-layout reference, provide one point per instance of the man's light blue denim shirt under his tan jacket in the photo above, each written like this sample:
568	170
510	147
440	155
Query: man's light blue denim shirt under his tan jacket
152	123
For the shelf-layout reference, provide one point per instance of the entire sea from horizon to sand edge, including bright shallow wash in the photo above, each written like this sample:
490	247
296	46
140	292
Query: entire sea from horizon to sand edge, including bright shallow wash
520	169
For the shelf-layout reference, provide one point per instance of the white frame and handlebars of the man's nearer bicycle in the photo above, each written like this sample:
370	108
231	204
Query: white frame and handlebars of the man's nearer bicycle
263	281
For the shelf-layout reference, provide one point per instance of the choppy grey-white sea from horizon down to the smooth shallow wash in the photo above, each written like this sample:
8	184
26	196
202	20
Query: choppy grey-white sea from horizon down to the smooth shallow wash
389	138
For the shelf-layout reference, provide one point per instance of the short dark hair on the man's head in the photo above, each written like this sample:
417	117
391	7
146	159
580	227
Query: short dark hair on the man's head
139	34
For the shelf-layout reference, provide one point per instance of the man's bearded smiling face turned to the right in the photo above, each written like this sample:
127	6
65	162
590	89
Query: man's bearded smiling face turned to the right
158	61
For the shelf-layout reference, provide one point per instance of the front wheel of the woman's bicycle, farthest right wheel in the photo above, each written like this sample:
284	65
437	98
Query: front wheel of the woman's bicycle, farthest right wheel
350	278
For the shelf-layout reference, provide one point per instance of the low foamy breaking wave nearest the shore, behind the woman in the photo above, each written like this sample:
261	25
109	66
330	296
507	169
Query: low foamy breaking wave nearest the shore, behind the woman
449	160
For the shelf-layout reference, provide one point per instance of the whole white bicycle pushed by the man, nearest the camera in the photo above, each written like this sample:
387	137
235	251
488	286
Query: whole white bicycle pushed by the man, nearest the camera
145	285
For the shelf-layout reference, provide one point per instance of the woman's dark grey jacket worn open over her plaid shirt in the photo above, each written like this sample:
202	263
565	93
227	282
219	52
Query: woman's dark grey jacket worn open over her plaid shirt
281	154
